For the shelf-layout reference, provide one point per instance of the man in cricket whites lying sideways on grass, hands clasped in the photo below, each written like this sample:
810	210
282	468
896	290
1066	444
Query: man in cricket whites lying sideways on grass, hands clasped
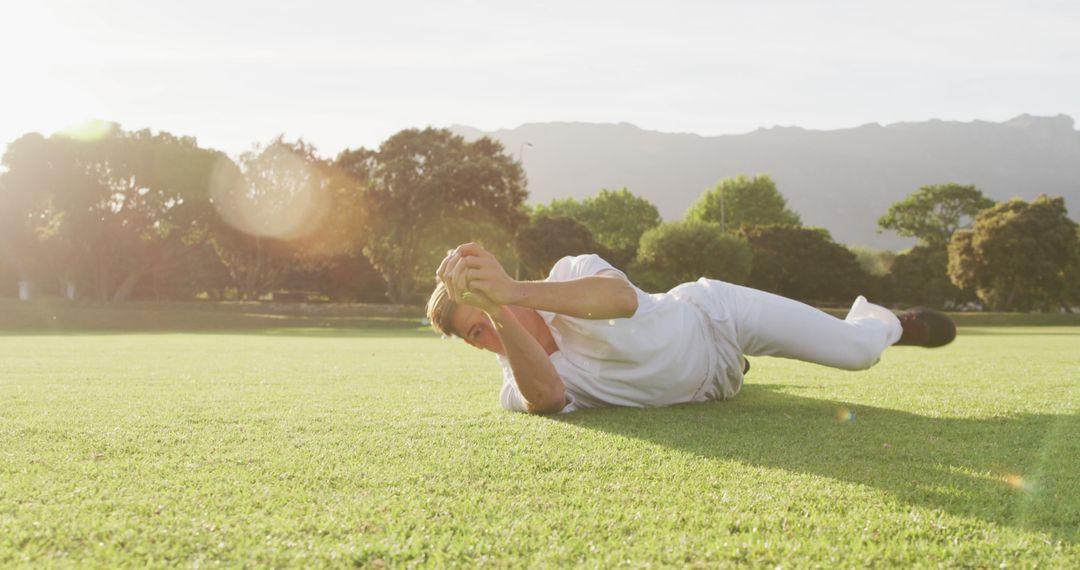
587	337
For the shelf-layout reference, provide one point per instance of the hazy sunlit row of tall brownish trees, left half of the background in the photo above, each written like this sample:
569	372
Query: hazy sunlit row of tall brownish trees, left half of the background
143	215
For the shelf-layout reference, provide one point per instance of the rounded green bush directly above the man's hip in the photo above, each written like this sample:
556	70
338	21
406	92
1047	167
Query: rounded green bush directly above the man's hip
678	253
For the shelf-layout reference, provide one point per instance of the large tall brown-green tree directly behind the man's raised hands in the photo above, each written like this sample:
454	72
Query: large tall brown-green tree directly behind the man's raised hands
420	182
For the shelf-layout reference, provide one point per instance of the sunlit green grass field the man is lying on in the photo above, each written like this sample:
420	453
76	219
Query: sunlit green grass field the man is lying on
380	444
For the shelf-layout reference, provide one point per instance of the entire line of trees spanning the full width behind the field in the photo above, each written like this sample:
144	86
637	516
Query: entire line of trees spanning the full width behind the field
142	215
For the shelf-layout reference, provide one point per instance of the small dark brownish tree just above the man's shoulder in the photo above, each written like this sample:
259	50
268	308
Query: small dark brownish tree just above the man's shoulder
548	239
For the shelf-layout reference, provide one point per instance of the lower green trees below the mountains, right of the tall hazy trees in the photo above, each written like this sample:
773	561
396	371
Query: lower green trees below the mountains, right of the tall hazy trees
971	253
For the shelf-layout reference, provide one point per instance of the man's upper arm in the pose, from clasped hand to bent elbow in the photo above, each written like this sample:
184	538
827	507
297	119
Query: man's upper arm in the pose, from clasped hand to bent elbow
593	297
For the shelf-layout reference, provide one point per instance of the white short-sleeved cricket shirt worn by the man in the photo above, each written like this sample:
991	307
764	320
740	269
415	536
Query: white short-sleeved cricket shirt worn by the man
678	348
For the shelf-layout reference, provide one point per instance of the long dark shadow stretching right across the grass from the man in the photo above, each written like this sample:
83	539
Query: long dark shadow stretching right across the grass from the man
1016	471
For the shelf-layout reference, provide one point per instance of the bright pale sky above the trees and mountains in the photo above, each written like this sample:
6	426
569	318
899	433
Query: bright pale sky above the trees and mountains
348	74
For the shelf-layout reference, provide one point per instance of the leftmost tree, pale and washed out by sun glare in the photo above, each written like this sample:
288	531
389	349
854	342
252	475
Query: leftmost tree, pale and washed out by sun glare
111	211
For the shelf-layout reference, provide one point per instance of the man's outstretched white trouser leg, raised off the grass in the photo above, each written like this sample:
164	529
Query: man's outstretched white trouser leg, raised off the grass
769	325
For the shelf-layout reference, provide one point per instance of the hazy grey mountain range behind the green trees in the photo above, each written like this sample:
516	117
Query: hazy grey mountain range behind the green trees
842	180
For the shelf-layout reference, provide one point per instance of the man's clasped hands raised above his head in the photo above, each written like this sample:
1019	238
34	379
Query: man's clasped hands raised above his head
475	277
